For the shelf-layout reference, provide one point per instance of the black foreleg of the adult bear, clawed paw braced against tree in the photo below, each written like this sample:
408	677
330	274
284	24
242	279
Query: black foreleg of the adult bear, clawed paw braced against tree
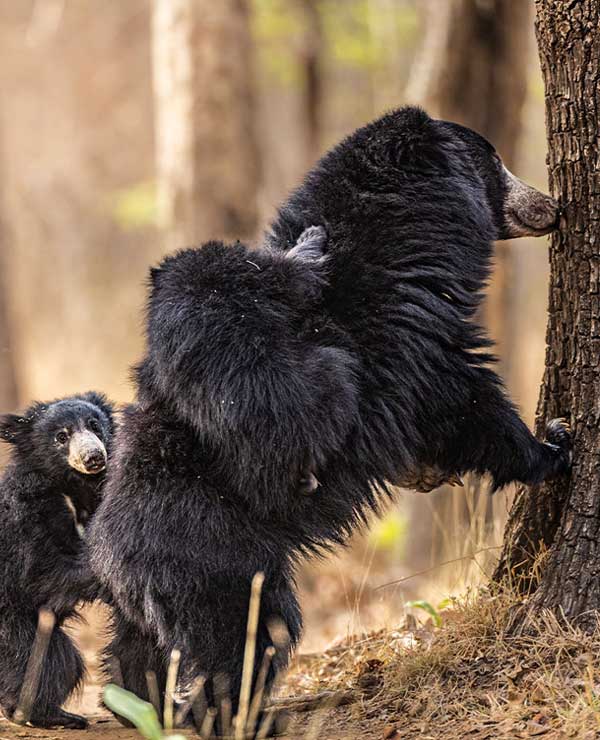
490	437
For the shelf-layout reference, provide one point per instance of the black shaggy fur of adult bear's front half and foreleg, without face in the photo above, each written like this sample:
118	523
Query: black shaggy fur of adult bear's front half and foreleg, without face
412	207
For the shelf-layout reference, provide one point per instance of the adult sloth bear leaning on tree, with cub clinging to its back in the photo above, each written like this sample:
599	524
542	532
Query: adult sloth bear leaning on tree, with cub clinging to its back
362	367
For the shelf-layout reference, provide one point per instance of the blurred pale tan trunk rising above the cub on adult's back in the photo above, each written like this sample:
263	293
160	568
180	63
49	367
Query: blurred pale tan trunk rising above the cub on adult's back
206	150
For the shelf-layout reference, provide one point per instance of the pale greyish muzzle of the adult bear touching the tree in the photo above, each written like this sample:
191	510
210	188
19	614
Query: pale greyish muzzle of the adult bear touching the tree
527	212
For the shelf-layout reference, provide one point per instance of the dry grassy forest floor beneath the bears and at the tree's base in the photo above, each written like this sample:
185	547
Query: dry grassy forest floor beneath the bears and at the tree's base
466	679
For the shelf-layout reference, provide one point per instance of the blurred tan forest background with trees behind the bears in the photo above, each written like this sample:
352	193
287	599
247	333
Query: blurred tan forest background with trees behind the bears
130	129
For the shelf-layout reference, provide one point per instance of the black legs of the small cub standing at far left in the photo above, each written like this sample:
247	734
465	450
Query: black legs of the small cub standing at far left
61	674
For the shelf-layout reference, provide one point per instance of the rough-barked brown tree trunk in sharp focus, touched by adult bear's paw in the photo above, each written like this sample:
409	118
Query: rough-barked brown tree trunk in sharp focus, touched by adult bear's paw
565	515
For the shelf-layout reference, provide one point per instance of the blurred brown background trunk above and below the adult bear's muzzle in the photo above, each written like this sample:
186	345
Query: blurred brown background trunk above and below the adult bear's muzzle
472	69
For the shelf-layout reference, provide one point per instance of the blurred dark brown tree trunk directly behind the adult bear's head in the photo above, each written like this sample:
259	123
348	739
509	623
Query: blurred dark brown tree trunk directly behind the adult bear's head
472	68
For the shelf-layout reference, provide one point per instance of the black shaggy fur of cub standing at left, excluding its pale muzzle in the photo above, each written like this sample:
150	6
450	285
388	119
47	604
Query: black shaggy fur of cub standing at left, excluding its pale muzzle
42	558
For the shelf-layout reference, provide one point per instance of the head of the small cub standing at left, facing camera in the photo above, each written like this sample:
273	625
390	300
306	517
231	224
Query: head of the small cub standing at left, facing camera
62	438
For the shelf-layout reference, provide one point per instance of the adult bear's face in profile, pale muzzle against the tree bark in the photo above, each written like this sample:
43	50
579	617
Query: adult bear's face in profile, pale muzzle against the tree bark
517	208
